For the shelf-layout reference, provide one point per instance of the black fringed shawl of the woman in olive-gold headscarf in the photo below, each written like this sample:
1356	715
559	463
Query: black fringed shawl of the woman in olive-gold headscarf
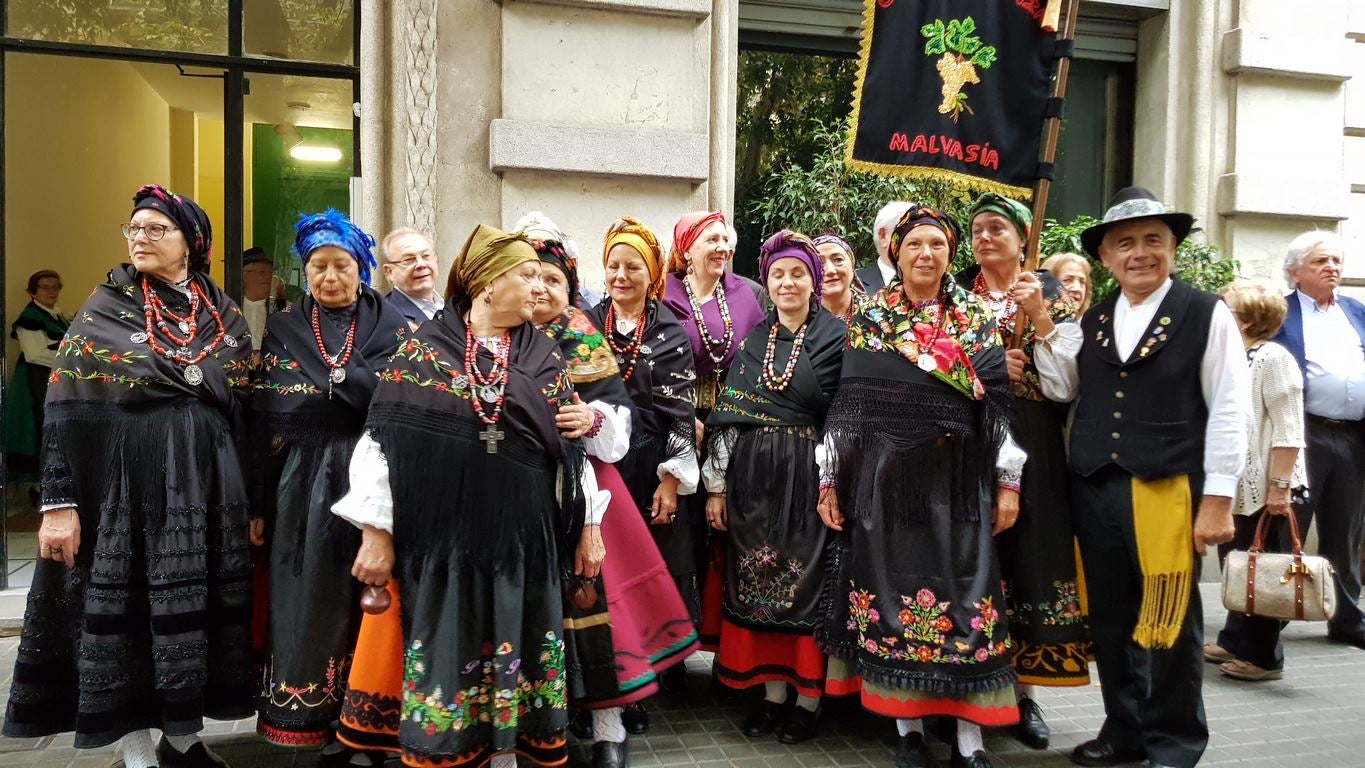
451	497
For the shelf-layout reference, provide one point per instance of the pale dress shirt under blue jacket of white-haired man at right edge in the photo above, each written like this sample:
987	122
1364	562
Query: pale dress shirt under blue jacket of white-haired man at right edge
1336	387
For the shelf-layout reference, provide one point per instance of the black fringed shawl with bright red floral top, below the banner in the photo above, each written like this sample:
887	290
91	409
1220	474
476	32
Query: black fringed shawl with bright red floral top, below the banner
925	394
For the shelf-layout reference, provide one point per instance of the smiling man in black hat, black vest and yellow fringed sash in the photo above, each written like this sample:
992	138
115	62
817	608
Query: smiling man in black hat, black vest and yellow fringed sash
1155	454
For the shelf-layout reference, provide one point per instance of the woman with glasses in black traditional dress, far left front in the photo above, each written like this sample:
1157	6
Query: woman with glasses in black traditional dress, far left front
139	615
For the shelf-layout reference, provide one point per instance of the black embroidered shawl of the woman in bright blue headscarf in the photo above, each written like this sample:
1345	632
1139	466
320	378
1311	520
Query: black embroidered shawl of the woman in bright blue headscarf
296	402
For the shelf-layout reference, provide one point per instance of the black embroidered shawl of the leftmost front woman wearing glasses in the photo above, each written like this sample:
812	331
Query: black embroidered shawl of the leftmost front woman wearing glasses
106	361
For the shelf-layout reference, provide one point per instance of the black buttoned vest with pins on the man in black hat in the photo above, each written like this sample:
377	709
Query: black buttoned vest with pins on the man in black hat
1147	415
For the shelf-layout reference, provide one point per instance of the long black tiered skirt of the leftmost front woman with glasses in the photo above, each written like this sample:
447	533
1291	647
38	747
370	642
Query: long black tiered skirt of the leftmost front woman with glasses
151	628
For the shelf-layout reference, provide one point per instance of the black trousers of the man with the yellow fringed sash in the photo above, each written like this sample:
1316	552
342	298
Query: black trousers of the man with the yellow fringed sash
1154	699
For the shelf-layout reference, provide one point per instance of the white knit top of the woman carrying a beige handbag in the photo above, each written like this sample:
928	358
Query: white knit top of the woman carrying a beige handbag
1276	421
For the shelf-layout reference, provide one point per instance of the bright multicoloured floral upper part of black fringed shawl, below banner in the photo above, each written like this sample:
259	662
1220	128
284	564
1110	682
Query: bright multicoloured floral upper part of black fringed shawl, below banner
944	350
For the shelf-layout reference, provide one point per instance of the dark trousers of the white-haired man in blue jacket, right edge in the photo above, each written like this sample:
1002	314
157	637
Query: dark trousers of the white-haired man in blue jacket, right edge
1337	488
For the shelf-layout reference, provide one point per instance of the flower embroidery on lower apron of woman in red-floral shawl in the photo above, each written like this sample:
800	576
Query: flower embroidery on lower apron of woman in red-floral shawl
928	631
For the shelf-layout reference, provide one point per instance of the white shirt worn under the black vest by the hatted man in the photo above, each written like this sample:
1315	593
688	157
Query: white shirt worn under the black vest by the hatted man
1225	384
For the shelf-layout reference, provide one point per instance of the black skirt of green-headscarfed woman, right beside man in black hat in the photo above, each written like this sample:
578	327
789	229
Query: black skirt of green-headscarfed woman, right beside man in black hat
1038	559
